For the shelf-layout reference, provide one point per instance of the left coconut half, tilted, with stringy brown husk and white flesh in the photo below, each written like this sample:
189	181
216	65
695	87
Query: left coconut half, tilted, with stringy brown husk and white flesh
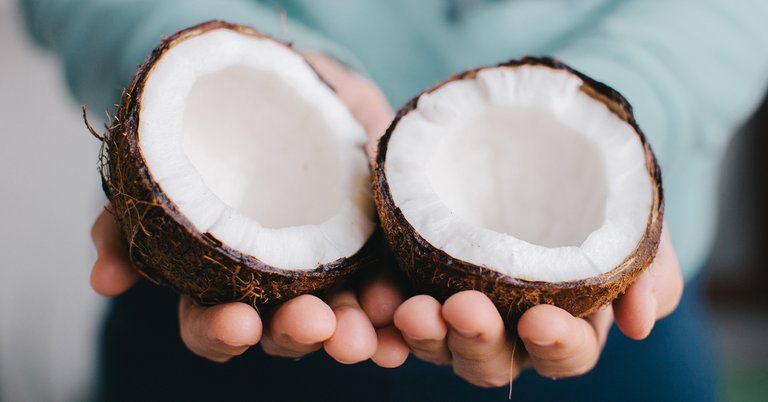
235	172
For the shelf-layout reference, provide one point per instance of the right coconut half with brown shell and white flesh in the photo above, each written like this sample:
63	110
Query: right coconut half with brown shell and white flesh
527	181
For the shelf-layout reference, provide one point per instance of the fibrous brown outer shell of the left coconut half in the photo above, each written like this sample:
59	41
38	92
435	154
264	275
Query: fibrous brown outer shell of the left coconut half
162	243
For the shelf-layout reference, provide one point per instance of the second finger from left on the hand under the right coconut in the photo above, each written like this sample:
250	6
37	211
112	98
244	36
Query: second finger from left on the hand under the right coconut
477	339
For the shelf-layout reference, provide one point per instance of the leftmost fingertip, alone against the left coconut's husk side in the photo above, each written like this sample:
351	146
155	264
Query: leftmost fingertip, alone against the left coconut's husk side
112	273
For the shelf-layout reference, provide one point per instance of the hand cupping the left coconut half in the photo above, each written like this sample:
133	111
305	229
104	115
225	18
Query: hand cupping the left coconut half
351	329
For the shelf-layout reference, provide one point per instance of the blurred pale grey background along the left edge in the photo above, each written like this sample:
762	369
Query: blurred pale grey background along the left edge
49	195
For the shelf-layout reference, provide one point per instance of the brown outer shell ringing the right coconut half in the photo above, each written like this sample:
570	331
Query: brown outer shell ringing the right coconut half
435	272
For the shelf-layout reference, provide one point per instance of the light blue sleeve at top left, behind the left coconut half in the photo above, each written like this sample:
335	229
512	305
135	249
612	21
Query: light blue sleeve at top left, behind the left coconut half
101	42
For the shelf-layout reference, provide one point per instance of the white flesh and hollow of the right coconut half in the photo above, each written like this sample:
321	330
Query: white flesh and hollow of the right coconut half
520	171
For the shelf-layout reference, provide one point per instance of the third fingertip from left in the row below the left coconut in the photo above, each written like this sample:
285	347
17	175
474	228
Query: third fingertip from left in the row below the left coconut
355	338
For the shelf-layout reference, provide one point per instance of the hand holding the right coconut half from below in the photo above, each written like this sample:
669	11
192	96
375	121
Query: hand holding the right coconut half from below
468	332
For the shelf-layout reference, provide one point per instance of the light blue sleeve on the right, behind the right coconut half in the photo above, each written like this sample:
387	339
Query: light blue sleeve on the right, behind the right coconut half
694	71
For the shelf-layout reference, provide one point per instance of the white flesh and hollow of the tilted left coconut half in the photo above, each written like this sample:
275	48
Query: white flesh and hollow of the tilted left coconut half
253	148
